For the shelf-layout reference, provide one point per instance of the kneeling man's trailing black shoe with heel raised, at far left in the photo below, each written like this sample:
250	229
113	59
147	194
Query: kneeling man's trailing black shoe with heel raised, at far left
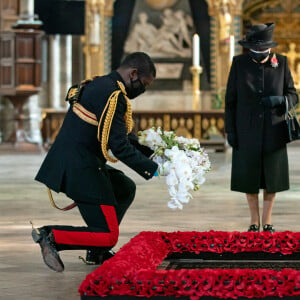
48	249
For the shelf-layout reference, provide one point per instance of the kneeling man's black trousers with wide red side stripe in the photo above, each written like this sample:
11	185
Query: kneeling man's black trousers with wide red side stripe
102	221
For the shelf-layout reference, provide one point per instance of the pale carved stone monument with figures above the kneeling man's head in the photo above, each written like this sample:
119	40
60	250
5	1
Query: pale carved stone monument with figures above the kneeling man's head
169	45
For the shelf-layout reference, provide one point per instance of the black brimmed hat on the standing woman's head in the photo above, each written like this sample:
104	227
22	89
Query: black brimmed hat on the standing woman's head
259	36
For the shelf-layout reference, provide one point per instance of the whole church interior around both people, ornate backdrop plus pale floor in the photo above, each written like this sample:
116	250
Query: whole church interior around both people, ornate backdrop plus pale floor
46	46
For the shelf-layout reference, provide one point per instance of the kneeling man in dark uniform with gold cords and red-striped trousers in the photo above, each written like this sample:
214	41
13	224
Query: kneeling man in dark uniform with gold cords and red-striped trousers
97	128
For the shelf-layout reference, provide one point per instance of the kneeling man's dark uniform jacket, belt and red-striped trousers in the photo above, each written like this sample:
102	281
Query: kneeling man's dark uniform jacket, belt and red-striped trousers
76	165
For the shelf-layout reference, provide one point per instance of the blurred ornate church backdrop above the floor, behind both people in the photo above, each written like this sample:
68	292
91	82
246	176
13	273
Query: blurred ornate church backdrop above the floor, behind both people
46	46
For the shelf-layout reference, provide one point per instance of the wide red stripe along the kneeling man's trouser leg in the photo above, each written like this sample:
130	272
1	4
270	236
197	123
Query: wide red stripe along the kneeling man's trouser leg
96	239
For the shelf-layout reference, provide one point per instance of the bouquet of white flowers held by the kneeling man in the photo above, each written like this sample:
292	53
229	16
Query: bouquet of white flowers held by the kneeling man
180	159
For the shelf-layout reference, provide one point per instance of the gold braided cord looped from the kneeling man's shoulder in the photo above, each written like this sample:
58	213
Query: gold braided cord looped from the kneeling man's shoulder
108	114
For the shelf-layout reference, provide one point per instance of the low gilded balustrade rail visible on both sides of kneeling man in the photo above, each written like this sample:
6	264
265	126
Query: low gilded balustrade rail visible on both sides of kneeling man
188	124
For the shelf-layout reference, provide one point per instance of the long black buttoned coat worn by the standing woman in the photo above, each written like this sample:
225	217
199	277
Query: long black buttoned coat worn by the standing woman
261	132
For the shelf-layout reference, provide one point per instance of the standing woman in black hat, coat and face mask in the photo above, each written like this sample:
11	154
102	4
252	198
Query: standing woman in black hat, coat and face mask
258	87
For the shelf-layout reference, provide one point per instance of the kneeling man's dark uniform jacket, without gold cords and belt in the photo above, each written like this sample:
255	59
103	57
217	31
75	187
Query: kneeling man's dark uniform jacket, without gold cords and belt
75	164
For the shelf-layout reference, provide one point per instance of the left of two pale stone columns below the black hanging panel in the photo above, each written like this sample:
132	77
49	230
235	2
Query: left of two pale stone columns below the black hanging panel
54	72
